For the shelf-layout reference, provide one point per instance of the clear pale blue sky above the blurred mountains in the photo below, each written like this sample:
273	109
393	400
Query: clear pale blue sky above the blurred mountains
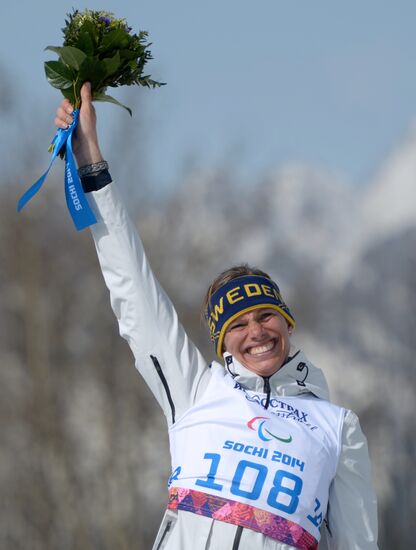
256	84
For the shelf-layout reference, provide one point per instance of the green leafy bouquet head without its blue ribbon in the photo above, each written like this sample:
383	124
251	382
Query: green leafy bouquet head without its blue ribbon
101	49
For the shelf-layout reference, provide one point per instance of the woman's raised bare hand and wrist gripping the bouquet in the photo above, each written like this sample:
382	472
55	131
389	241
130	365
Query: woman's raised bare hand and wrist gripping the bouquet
85	139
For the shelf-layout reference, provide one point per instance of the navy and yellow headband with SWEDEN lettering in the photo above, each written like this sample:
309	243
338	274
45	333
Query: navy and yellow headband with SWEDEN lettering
238	296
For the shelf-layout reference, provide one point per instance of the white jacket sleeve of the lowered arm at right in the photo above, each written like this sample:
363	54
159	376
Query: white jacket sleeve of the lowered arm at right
352	511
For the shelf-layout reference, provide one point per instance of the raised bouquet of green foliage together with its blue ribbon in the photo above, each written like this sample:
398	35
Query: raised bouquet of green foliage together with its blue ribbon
102	50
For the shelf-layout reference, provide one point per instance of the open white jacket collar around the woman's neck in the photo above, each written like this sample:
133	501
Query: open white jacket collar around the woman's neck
297	376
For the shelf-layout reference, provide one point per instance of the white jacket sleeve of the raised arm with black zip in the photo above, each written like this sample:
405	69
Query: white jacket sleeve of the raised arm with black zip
169	362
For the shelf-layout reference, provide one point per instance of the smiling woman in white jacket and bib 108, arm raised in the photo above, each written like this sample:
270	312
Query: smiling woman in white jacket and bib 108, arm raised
260	457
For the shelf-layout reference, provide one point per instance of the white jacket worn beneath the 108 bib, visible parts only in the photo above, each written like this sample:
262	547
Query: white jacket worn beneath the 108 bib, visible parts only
177	374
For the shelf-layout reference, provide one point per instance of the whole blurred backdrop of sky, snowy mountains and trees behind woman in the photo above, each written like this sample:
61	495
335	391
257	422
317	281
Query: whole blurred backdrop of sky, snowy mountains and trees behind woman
286	138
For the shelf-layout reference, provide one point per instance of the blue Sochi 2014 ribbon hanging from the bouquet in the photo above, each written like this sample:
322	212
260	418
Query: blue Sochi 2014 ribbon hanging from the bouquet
77	203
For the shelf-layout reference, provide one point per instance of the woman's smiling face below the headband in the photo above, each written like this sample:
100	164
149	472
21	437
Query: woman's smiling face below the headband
259	340
